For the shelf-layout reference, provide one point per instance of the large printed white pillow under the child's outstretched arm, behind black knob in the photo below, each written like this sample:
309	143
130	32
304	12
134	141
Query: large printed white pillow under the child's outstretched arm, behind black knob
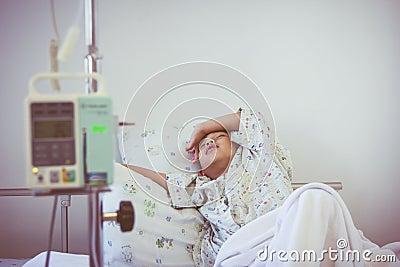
161	235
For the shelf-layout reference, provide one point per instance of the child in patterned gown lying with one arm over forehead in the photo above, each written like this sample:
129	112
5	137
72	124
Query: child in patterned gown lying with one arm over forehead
239	179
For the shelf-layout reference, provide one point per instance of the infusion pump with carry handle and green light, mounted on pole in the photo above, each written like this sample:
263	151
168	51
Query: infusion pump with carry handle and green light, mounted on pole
70	137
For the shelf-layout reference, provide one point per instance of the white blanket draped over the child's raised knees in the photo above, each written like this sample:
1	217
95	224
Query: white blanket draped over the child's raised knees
312	228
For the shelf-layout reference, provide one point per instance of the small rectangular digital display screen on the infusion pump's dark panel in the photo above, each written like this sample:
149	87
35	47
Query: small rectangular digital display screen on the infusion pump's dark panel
53	129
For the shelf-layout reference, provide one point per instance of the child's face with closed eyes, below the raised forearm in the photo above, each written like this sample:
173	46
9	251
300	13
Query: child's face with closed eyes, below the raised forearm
215	150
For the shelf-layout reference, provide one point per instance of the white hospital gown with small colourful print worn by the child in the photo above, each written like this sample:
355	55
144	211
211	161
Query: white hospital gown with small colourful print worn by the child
254	184
